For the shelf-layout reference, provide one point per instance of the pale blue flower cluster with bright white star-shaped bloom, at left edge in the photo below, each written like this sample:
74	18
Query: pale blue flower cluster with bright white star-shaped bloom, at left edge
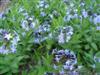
9	41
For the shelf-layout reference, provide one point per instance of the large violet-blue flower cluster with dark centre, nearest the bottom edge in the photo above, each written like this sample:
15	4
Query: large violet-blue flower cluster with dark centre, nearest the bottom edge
68	60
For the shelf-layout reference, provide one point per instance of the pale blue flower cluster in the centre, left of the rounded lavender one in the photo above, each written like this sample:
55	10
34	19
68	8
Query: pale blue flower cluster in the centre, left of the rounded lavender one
41	32
